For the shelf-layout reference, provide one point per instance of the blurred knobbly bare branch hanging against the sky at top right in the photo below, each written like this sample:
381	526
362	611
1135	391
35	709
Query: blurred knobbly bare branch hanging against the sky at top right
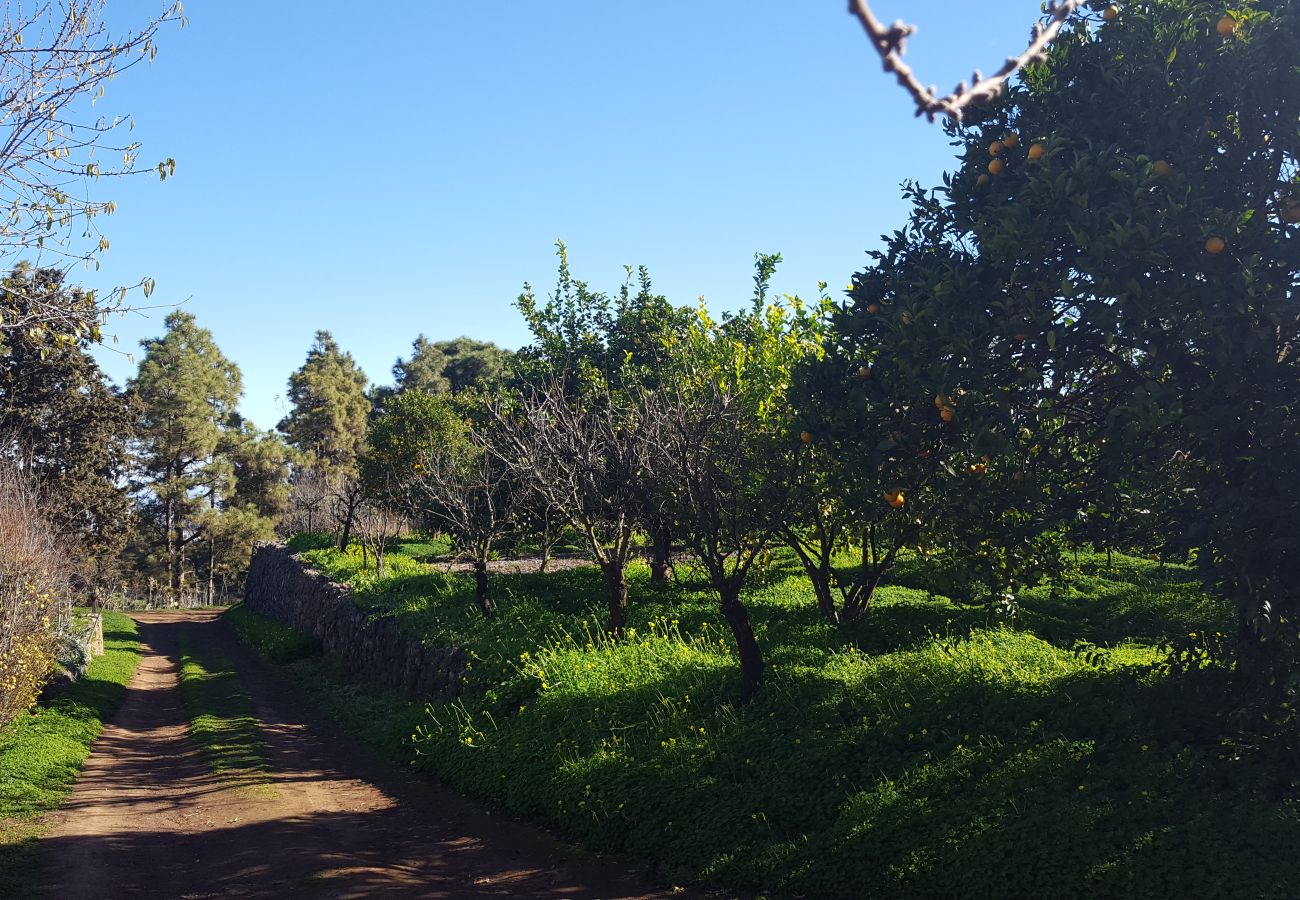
890	44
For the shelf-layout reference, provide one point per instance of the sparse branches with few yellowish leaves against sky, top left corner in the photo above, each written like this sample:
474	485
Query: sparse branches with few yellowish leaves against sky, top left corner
57	59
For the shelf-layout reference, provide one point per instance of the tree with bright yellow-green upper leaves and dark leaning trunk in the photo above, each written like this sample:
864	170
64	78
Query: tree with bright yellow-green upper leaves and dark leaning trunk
730	453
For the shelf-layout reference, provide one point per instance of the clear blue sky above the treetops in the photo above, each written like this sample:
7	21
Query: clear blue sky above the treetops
392	168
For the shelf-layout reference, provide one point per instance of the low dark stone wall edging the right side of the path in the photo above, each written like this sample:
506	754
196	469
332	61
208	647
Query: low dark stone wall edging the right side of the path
285	589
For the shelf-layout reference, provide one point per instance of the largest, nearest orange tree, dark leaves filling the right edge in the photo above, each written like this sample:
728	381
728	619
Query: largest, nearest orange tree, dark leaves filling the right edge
1121	244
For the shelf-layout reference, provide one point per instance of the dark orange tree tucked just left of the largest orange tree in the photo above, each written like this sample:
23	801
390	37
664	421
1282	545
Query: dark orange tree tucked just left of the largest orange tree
930	426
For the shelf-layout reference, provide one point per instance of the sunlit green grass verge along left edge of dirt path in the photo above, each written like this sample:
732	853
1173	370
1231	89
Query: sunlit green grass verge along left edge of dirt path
42	752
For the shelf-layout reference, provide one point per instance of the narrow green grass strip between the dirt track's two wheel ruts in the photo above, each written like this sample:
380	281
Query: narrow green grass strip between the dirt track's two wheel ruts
223	721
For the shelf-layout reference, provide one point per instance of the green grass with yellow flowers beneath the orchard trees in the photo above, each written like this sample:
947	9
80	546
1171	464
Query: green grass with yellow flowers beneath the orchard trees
921	752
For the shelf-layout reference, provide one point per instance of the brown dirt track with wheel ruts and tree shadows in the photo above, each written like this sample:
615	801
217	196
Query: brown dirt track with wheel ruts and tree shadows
149	820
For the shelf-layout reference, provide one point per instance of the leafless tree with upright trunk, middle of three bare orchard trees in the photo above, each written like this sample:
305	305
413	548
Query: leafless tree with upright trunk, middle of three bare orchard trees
591	457
